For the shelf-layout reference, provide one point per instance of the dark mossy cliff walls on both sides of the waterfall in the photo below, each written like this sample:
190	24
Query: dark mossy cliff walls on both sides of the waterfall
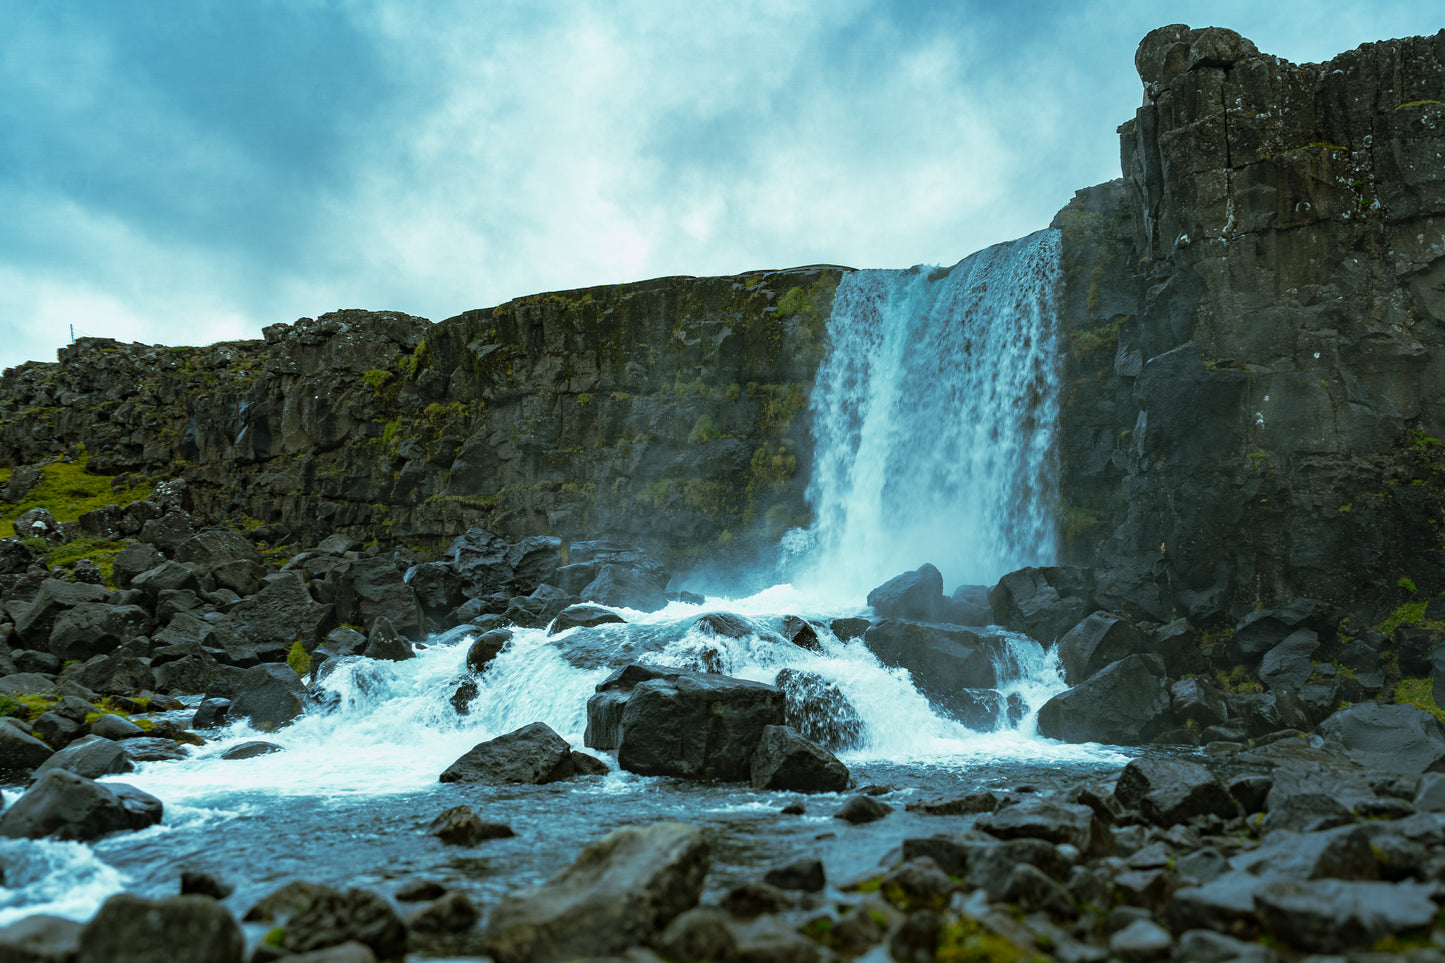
1254	394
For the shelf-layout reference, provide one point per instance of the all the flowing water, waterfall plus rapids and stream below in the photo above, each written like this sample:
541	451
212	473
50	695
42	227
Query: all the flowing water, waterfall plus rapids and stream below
934	414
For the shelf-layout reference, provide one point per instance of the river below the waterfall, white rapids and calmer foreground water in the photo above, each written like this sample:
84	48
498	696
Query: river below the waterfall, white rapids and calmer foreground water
349	799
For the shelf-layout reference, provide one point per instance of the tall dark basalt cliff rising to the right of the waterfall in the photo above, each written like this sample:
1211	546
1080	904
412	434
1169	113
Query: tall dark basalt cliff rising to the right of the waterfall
1256	333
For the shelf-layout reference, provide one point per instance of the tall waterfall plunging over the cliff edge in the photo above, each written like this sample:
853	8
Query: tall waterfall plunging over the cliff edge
934	417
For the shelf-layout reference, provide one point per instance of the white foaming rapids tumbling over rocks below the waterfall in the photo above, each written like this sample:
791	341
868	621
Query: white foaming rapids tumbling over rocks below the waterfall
392	728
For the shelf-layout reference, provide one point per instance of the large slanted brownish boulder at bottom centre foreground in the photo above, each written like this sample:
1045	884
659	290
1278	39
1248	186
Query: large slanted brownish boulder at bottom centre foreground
621	893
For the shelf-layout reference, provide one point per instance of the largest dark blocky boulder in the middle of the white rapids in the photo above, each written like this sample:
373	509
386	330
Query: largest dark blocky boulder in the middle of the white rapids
697	725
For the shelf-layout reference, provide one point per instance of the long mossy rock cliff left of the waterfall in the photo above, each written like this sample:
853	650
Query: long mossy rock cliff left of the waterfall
670	413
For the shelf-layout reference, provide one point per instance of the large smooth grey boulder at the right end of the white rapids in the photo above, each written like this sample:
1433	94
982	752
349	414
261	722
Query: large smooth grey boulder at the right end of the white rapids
1125	705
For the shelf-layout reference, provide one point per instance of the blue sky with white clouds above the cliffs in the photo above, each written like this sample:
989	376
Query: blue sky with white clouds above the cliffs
184	173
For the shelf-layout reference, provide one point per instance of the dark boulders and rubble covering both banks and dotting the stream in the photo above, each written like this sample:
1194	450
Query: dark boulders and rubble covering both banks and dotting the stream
1308	822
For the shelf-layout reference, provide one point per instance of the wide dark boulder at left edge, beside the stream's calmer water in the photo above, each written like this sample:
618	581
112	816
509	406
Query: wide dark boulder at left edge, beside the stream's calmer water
66	806
